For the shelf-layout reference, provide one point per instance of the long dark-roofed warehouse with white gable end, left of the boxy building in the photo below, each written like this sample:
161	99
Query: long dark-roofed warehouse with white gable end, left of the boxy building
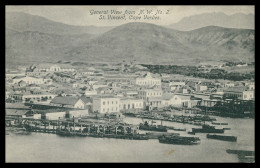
68	101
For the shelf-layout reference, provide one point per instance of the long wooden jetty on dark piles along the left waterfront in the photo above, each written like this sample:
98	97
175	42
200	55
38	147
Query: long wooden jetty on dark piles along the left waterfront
68	128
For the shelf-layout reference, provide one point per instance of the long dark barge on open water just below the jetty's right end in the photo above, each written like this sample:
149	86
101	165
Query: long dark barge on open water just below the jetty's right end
179	140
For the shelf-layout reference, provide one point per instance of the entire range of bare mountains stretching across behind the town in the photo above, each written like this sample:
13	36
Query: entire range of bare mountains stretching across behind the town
42	40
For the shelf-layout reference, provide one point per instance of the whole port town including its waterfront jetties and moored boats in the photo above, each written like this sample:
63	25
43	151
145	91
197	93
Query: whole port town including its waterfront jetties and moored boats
79	100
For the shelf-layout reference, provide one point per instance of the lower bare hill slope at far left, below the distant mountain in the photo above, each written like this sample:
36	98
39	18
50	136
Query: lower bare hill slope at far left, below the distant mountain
31	46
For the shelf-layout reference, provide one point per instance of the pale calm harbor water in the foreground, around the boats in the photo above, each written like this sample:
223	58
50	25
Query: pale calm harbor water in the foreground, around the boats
43	147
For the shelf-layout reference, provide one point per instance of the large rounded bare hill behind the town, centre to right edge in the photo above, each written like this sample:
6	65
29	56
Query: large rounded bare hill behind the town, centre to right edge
152	44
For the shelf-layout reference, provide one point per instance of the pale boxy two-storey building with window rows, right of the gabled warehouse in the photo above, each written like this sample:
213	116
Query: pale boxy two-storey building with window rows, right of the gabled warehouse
105	104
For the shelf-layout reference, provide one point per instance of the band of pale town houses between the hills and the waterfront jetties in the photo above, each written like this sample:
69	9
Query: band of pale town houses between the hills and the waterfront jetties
104	89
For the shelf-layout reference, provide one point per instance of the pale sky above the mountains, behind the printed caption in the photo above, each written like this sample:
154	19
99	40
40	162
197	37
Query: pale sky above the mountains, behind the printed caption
81	15
